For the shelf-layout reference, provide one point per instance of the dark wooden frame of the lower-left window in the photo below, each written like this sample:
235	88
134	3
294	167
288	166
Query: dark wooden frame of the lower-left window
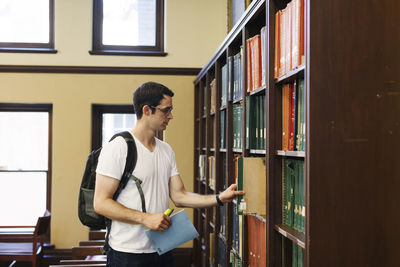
25	107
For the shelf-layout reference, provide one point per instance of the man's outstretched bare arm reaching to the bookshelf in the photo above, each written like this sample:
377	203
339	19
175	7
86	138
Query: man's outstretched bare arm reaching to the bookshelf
182	198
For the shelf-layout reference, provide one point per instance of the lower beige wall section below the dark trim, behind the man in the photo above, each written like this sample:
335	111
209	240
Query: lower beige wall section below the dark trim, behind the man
72	96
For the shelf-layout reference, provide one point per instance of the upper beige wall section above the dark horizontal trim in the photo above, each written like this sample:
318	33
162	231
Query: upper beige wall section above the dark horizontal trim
194	30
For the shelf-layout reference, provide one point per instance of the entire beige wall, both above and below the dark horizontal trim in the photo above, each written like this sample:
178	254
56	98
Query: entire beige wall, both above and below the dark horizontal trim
194	30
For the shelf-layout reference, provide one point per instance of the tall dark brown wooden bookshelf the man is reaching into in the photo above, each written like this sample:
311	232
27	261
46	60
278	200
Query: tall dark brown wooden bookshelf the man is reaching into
349	162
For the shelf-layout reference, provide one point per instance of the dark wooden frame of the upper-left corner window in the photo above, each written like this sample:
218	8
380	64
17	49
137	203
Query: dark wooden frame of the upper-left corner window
11	47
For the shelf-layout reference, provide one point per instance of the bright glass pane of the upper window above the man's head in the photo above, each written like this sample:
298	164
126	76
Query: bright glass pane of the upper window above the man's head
129	22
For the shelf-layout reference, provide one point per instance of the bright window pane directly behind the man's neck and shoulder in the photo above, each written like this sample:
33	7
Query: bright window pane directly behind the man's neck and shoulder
116	122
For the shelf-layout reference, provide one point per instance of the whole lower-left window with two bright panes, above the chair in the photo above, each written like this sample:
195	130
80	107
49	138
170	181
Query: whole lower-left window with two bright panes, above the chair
25	153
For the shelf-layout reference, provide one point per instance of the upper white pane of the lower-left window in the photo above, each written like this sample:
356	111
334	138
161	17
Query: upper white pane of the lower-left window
24	140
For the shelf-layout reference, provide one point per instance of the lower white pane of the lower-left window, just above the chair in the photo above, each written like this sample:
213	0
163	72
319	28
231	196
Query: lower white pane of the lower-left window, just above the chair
23	197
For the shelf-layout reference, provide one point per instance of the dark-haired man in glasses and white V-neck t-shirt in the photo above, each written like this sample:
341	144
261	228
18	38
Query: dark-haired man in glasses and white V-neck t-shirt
156	168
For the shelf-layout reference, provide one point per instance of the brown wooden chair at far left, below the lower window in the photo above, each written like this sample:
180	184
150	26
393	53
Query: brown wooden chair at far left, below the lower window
31	251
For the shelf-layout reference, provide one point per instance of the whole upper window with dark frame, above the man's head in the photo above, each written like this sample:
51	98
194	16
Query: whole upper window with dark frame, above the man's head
128	27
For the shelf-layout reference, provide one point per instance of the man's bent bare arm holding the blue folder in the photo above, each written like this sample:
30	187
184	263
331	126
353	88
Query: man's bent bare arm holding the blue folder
106	206
